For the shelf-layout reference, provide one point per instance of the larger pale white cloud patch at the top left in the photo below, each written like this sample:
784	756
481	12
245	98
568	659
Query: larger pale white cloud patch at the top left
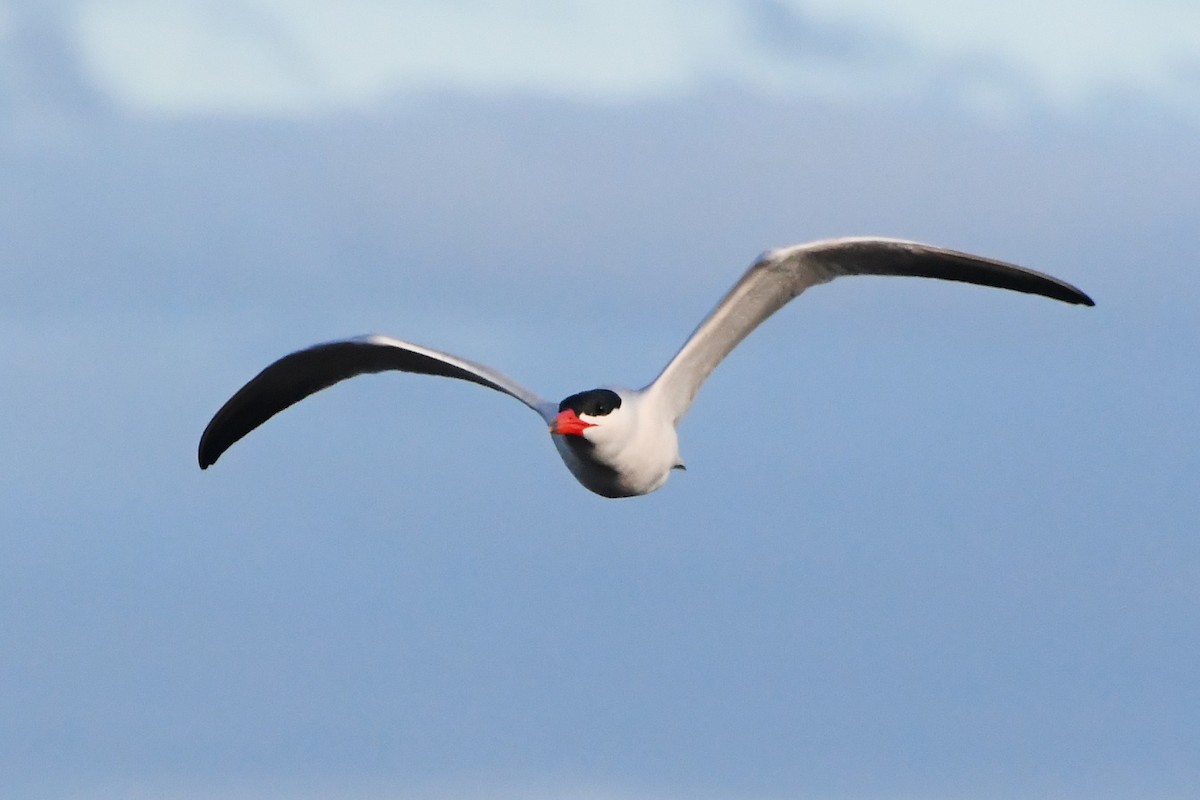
279	56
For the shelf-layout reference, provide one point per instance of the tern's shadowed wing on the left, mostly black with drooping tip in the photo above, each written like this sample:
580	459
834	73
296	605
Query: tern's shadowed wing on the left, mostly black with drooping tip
305	372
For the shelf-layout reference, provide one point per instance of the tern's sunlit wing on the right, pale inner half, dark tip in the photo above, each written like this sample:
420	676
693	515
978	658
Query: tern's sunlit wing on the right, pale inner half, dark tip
783	274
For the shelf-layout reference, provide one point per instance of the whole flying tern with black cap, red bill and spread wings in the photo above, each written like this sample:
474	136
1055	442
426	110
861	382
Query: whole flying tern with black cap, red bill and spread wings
623	442
